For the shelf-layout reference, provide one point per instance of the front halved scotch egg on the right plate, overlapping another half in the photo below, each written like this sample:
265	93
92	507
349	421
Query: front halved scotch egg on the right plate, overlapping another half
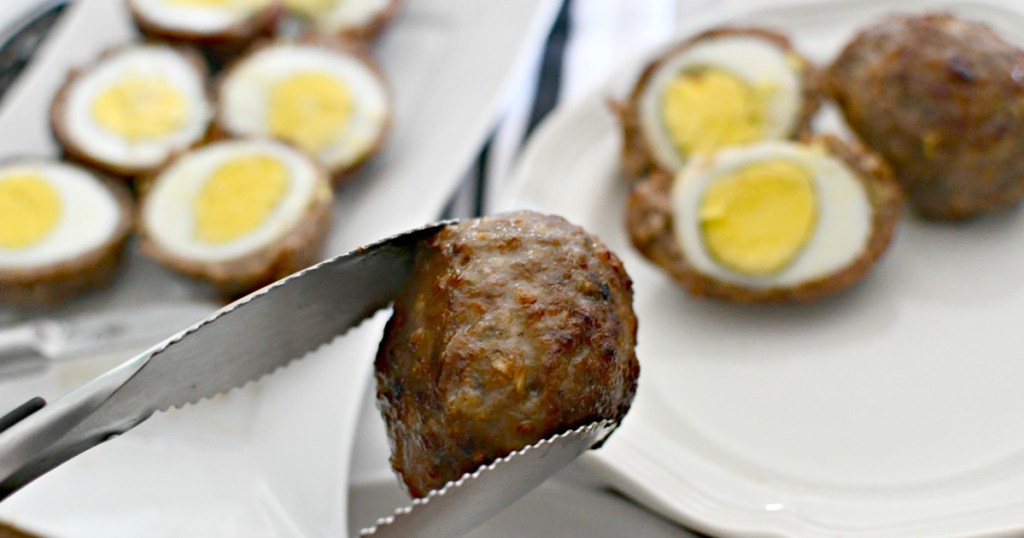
771	222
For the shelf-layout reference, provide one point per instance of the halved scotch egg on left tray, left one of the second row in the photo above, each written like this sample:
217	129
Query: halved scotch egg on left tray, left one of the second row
134	108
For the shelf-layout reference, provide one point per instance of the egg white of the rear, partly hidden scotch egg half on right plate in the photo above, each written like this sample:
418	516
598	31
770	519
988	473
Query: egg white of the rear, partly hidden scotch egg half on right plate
755	61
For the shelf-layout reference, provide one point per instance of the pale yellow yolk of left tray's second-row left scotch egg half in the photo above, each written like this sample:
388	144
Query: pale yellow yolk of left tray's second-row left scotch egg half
138	108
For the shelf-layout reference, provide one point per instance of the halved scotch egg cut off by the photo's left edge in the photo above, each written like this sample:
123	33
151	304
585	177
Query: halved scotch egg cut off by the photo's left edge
63	231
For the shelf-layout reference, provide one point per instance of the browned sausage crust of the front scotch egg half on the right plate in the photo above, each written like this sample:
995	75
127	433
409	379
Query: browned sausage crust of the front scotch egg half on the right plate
650	220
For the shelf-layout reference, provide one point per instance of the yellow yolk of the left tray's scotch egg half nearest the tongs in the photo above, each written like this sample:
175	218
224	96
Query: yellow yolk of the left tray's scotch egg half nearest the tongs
239	197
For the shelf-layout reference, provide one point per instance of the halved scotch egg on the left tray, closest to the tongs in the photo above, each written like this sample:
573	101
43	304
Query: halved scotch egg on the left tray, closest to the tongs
238	214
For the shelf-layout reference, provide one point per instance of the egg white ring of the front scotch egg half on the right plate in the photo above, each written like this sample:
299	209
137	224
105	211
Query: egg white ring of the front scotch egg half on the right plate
844	220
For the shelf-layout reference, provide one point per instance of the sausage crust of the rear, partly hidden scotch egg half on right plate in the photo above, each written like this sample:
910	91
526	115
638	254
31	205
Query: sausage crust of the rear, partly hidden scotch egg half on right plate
638	158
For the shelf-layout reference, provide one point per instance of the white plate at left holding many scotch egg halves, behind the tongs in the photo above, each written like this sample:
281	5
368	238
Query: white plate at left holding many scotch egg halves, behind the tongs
271	460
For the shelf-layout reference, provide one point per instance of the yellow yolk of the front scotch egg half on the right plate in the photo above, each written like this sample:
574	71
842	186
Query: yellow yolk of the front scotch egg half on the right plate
757	220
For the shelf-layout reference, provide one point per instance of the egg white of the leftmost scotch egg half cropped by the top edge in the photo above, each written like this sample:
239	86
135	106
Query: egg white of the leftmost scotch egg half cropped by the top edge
204	20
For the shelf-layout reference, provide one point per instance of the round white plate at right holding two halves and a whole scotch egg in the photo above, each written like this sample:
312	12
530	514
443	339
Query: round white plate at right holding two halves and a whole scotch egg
893	409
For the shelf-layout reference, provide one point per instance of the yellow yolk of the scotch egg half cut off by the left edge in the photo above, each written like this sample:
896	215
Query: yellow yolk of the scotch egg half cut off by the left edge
30	210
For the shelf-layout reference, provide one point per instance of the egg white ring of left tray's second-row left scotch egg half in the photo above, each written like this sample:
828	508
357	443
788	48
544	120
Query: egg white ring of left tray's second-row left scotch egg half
111	148
